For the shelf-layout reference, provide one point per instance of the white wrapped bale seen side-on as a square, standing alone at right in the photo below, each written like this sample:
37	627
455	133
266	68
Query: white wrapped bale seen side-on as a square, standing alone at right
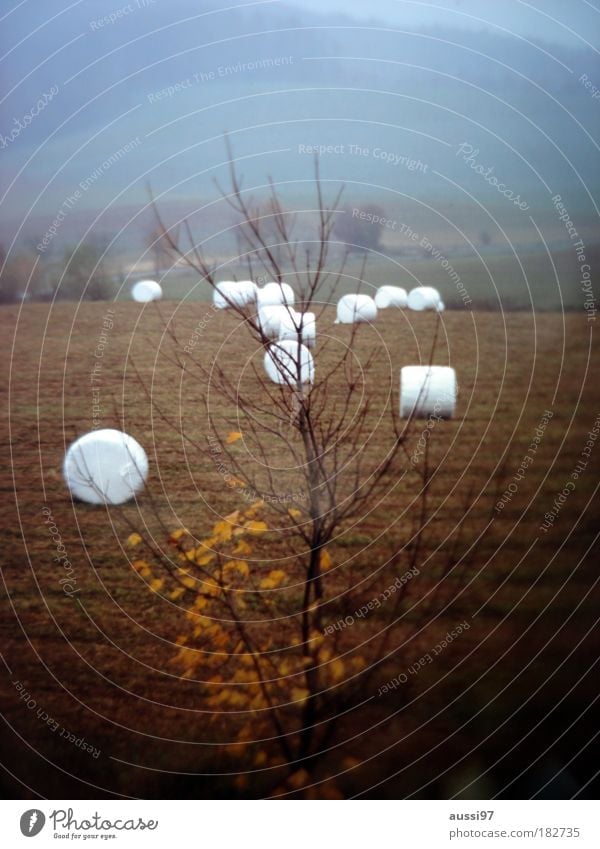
427	391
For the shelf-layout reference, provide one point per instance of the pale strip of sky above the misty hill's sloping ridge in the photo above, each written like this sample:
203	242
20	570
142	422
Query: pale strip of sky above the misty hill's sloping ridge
570	22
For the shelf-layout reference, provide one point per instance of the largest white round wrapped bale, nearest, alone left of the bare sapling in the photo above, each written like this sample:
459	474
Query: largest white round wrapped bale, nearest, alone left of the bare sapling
105	467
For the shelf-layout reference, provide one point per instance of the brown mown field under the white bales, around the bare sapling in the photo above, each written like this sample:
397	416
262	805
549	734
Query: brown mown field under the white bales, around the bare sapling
507	709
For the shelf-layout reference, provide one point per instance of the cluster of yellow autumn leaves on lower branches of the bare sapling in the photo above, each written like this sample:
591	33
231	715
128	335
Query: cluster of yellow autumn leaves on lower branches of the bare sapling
260	661
